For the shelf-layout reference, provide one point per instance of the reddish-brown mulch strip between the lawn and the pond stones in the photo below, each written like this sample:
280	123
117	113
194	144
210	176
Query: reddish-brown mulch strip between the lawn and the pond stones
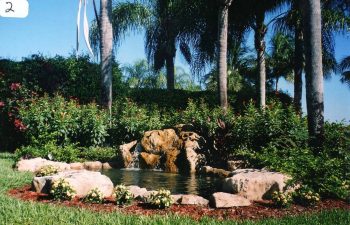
258	210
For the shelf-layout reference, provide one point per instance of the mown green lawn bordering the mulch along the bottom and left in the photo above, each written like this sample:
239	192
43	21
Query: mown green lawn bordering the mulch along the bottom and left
14	211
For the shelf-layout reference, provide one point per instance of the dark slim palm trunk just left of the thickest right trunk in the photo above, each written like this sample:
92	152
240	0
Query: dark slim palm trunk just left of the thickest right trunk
298	60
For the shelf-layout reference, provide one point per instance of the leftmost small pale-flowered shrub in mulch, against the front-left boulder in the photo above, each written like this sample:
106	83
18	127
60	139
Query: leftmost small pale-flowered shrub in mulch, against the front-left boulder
61	190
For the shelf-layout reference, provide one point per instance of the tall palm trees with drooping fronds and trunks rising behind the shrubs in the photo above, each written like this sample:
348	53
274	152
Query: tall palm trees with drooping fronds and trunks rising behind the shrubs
214	33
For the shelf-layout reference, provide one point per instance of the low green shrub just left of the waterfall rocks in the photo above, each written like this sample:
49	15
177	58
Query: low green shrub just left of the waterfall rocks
99	154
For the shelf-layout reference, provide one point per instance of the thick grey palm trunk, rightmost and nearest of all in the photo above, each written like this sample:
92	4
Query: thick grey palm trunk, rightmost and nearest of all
313	71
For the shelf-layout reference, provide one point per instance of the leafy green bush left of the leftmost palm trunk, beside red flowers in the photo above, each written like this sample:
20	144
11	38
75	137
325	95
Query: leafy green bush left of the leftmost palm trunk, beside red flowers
63	122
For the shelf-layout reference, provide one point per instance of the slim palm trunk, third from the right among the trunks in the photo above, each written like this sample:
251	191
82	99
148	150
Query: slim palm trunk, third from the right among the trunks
260	32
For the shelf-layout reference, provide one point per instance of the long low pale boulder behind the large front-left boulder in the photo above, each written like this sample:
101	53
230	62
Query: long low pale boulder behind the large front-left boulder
34	165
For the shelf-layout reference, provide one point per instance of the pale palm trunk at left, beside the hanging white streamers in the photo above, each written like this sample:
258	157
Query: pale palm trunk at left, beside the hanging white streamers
106	48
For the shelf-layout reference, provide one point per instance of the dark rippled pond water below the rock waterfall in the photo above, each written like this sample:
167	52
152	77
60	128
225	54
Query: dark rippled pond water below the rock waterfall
178	184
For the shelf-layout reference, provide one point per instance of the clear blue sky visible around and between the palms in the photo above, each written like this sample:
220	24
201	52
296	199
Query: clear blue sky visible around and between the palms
50	29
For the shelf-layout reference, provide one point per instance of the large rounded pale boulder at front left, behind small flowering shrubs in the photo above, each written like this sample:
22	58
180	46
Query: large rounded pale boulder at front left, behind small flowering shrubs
82	181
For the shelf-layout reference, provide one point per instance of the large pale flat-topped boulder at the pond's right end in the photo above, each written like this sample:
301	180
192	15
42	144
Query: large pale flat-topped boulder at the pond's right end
255	184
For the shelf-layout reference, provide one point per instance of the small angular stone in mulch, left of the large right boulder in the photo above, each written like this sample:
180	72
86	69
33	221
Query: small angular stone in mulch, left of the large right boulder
226	200
